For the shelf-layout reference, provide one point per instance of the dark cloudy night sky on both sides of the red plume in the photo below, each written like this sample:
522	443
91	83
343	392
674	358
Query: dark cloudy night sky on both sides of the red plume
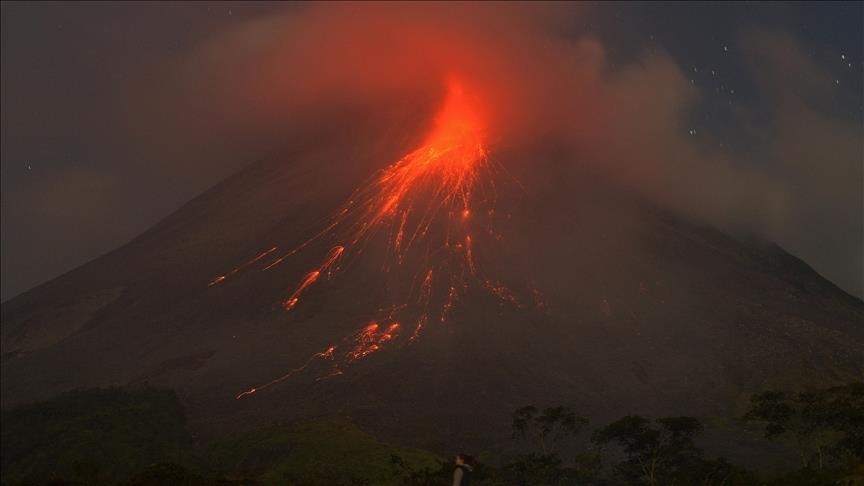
114	115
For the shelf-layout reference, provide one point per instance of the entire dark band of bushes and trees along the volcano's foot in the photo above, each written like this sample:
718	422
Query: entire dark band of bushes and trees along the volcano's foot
139	437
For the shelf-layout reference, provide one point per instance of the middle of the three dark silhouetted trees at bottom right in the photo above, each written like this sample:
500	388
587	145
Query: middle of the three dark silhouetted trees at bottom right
653	453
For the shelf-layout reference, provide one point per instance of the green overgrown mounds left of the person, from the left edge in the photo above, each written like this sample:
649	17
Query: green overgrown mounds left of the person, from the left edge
138	437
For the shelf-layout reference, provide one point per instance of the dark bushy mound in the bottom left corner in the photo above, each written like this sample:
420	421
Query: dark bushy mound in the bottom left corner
92	436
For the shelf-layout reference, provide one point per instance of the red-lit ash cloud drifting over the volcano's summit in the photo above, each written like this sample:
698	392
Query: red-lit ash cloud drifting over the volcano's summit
240	91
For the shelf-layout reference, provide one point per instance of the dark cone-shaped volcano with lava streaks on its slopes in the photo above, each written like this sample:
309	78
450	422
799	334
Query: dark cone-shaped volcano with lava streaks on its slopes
575	292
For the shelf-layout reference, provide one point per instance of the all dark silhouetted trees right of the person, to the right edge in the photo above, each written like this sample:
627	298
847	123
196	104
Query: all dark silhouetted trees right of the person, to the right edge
825	426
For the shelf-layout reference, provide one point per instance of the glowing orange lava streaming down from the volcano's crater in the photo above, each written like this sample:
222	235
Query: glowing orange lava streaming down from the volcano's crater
424	205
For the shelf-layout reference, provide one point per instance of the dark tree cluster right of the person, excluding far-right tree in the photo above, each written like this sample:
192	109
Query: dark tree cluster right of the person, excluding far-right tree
630	450
